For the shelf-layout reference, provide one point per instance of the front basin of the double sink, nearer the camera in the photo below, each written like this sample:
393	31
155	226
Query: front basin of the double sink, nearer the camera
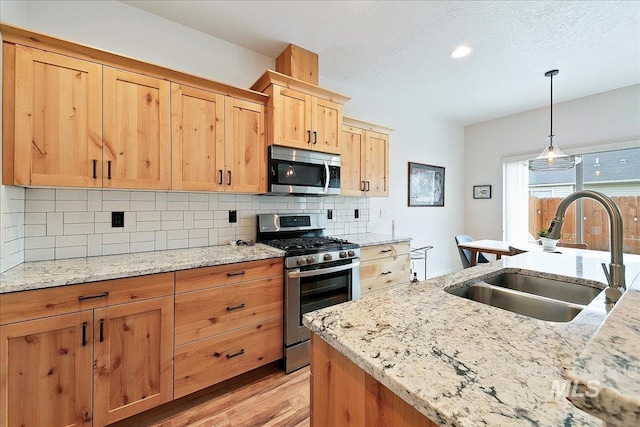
519	302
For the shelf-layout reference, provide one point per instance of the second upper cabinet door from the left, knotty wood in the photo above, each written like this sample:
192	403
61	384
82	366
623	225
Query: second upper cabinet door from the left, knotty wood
137	134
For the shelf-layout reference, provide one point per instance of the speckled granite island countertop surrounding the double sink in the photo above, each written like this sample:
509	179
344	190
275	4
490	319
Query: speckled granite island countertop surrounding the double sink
462	363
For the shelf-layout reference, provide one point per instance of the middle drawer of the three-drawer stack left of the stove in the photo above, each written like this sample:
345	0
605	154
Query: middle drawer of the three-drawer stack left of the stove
208	312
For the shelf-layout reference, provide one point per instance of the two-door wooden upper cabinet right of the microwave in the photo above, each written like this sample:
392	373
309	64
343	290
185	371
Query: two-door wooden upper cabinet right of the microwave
364	159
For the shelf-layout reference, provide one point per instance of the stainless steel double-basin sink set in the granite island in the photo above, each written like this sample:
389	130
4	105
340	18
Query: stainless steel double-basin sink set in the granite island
540	298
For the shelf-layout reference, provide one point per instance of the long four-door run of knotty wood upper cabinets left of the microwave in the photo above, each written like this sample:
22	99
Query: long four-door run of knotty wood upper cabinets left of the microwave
75	116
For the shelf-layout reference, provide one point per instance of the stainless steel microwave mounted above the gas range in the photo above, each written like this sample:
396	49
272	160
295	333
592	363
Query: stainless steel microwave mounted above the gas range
294	171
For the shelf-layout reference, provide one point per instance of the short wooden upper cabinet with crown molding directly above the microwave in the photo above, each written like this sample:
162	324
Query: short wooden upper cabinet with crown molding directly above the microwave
301	115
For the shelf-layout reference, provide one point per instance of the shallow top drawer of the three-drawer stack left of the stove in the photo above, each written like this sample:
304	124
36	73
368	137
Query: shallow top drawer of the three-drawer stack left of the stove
209	277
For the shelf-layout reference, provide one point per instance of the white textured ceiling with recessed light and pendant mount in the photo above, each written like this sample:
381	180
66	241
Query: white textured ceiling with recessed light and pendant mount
401	49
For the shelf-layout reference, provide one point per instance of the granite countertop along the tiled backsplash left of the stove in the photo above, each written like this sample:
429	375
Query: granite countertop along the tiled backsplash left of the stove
47	274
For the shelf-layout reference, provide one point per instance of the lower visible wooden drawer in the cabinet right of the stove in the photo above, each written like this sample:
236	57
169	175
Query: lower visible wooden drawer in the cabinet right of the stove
382	273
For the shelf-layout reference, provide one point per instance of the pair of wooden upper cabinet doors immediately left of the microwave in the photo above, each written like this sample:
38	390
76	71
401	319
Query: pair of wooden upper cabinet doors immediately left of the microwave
218	142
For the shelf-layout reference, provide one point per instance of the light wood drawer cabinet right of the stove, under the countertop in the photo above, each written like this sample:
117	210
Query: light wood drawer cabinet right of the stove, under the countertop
383	266
